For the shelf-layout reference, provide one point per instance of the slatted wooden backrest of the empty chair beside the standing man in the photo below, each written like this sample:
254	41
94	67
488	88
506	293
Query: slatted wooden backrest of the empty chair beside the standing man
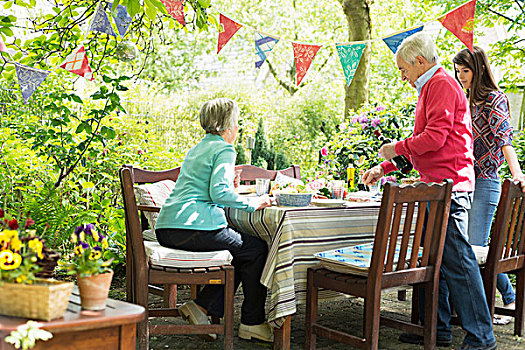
394	236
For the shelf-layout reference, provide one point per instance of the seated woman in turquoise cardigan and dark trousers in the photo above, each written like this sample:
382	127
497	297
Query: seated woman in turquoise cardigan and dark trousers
193	219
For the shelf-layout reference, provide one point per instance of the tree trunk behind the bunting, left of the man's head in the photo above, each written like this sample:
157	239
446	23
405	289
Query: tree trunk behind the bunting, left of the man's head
357	13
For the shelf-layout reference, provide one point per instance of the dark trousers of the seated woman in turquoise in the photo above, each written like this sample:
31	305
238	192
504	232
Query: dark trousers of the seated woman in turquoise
249	255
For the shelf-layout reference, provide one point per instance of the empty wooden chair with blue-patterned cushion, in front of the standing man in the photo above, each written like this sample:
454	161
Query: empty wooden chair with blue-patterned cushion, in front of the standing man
384	271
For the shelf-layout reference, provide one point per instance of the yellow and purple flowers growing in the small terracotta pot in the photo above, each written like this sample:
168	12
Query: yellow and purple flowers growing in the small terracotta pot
88	256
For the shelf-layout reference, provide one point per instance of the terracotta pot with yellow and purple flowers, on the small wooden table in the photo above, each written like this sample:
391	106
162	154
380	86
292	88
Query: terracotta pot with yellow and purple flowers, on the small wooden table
93	272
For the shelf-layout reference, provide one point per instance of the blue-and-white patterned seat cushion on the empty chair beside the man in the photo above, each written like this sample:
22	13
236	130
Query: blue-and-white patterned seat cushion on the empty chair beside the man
354	259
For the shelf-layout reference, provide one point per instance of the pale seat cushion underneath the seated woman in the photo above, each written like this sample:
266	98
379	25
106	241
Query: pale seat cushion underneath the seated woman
168	257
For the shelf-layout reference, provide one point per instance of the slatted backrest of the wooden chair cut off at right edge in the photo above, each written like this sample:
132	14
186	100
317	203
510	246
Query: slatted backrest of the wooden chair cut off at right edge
507	242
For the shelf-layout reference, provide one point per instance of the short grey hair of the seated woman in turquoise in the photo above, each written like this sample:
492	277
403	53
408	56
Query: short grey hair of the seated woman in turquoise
218	115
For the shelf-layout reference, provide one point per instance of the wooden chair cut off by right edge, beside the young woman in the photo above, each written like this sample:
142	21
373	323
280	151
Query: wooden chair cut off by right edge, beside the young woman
506	253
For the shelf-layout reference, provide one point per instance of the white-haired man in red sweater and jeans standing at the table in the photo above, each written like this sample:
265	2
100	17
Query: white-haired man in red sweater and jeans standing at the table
441	148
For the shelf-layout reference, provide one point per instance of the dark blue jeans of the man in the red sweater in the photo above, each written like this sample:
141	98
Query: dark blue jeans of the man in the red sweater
460	281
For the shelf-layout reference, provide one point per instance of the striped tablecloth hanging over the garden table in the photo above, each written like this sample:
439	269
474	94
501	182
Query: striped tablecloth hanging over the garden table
294	235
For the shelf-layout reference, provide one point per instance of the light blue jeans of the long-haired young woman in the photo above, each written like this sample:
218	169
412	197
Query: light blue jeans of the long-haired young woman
486	198
